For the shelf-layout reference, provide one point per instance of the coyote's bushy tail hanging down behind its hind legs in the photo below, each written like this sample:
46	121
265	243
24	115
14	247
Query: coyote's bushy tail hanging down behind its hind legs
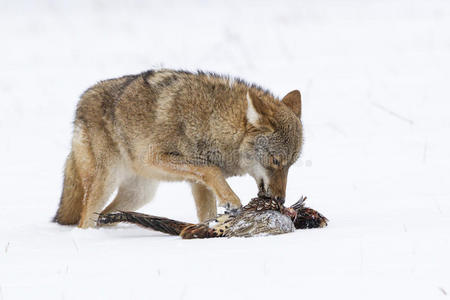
70	205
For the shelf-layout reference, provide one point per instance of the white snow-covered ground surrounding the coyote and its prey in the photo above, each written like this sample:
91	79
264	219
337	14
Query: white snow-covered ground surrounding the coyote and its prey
375	79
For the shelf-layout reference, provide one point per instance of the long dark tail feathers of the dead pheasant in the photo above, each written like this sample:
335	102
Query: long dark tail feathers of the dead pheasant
160	224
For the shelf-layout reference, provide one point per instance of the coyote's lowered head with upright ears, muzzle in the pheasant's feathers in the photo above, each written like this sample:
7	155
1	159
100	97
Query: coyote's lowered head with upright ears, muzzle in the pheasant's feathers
275	140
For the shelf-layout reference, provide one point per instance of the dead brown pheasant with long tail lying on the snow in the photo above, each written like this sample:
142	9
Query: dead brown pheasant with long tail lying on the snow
261	216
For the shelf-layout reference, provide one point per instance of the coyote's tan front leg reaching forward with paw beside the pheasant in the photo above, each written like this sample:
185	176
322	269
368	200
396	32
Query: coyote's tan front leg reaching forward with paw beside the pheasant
210	176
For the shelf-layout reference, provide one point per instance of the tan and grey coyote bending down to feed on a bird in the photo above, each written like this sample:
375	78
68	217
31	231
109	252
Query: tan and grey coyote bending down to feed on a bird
134	131
